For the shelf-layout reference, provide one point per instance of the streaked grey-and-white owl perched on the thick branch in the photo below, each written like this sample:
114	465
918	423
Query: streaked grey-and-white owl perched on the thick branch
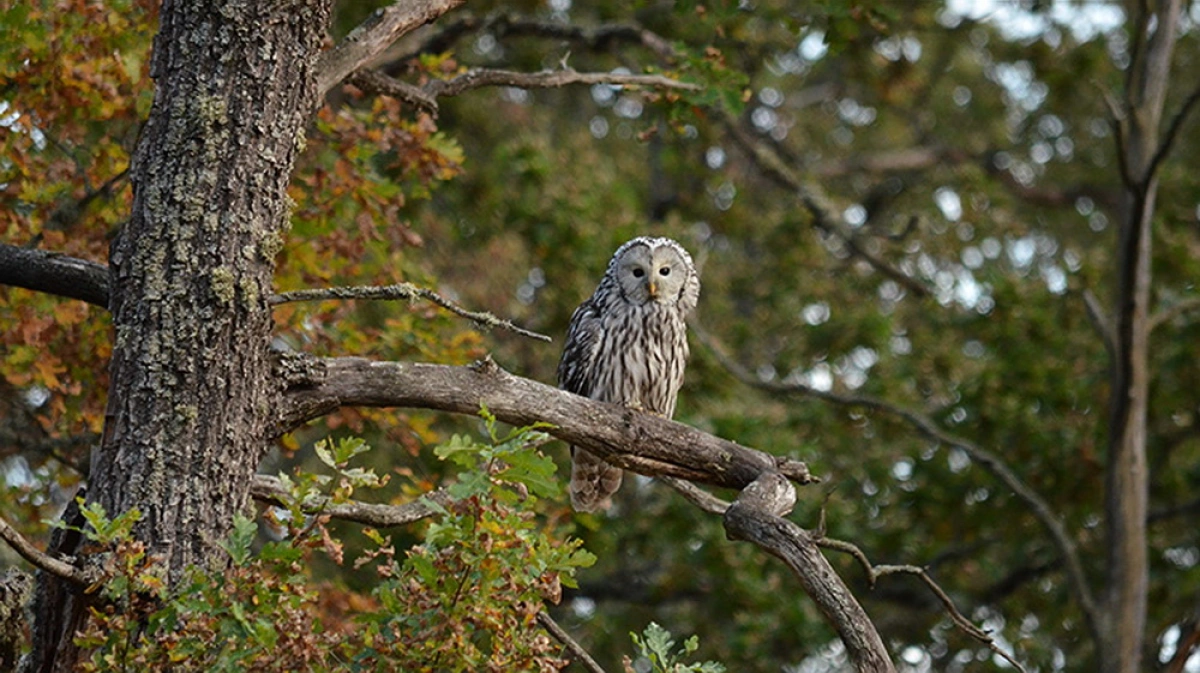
628	345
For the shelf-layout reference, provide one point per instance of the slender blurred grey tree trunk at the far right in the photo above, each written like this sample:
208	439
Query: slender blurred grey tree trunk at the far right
1124	622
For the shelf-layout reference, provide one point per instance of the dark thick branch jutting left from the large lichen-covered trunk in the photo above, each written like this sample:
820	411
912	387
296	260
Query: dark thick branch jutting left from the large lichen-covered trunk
55	274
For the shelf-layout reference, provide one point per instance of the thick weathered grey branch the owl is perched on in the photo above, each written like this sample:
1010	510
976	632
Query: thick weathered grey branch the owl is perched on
639	442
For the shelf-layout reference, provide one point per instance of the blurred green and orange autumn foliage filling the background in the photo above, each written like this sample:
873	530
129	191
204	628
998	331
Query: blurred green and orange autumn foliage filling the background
964	158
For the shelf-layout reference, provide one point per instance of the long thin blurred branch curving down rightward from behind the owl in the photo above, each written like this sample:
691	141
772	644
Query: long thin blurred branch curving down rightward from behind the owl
988	460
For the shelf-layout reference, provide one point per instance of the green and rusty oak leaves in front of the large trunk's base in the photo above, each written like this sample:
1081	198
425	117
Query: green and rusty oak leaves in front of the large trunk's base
466	599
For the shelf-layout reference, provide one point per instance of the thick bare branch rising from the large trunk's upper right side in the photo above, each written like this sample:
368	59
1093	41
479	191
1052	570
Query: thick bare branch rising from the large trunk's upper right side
374	37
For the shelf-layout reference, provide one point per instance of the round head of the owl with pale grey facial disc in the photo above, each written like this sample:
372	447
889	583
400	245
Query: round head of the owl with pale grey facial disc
658	271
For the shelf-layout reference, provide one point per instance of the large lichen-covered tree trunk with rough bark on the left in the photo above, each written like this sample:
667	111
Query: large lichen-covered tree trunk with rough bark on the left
191	274
